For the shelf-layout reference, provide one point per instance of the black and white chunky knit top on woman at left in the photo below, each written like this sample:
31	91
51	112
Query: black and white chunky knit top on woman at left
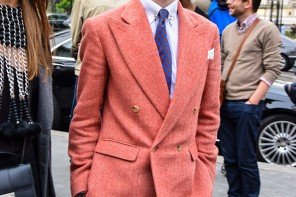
15	115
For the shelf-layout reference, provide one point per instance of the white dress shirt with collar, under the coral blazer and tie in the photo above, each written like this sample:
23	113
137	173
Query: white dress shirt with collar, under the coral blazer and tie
172	27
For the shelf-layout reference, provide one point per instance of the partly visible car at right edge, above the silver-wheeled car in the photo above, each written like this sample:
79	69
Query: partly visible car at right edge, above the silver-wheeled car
288	52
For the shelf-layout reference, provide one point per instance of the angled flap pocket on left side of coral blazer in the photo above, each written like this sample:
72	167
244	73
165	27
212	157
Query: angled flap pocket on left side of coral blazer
117	149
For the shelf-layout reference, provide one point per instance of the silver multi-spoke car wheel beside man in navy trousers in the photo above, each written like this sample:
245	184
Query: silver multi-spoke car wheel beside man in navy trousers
277	140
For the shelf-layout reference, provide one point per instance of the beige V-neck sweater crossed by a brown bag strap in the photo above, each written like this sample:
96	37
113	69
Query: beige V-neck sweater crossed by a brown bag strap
259	58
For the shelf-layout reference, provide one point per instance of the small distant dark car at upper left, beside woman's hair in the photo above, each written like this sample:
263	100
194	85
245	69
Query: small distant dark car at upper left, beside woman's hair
56	20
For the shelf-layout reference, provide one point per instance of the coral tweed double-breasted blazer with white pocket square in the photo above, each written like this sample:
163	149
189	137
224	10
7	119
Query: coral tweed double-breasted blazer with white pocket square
127	137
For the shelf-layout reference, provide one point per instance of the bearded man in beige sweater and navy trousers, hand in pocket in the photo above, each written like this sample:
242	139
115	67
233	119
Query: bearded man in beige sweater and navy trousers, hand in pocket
256	68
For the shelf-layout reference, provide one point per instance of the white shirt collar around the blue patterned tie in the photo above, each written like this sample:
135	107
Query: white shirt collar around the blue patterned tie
152	9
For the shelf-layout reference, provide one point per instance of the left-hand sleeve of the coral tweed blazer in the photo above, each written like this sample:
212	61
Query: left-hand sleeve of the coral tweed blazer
85	126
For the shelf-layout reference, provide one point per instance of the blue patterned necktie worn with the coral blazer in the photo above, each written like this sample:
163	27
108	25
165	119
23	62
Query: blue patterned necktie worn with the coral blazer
164	47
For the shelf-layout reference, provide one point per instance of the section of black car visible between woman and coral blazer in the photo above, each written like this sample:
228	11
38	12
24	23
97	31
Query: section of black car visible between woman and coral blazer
63	79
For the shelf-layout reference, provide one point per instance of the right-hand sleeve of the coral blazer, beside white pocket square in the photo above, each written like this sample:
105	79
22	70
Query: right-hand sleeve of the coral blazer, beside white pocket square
209	116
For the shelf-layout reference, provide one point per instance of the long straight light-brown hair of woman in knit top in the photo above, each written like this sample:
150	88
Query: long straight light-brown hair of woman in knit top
37	33
